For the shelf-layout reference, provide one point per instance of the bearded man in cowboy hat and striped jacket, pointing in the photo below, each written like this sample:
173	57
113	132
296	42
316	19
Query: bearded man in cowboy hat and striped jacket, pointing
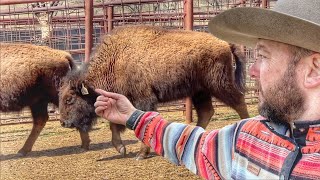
282	143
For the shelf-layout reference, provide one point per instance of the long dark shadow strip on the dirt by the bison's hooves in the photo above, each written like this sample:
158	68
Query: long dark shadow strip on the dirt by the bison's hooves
69	150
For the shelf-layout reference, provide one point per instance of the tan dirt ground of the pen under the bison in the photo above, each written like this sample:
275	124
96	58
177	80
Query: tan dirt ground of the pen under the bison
57	153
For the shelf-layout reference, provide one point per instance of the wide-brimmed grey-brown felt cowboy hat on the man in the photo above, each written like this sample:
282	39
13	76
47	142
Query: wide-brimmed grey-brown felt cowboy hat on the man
294	22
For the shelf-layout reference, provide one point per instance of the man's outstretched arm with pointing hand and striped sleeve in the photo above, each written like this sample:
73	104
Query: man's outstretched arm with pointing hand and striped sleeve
207	154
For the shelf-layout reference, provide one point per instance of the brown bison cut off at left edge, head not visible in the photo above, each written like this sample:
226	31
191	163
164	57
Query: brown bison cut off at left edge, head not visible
30	77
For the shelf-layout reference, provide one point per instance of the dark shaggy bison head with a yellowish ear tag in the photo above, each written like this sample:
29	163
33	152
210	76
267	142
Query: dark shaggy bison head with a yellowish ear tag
76	102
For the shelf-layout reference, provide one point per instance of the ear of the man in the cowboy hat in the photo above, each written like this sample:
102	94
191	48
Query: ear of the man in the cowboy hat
312	77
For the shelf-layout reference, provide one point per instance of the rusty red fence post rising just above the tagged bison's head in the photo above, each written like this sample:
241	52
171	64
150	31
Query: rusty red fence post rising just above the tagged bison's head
88	28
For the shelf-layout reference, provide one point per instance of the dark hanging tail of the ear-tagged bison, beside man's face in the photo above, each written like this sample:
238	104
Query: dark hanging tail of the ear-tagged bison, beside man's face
240	71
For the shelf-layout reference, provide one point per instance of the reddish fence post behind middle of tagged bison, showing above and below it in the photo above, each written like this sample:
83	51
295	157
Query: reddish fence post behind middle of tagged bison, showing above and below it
188	25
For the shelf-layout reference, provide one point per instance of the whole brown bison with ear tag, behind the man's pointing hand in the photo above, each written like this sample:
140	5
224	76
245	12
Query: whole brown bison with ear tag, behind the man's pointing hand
151	65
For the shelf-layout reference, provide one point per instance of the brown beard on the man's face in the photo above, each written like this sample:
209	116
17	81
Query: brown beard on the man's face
284	102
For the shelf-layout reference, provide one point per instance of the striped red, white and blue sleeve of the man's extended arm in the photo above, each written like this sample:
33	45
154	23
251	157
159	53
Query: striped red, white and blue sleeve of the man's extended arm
207	154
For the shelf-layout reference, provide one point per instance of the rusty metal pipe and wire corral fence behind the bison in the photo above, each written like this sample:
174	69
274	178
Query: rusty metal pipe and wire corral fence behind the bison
77	25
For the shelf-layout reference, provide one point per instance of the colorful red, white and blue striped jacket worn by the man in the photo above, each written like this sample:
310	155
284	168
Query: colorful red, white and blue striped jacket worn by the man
250	149
